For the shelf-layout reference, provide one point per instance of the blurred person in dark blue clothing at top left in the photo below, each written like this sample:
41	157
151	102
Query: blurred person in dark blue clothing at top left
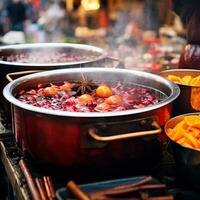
16	13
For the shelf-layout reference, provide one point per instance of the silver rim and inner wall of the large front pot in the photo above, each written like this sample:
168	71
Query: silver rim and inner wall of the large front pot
166	90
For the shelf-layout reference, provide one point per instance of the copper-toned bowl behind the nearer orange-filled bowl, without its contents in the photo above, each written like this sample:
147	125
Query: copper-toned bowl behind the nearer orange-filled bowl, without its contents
189	98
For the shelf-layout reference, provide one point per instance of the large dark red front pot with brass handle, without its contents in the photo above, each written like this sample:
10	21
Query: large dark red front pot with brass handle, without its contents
67	138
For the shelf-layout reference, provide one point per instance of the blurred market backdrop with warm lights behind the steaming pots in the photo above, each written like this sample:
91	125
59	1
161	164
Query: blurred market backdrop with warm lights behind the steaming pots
142	34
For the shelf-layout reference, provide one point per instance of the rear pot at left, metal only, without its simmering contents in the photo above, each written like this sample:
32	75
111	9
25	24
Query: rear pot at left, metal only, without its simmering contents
94	56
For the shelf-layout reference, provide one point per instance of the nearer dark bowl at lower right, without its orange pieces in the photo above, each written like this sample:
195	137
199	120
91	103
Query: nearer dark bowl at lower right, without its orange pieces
187	159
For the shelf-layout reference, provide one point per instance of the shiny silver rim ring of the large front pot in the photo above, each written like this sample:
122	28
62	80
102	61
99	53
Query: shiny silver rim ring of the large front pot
7	92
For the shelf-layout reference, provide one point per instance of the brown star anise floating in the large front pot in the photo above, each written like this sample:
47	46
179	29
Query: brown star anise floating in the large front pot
84	86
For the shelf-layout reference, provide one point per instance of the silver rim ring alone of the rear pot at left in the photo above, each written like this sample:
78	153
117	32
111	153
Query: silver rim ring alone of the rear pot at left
32	46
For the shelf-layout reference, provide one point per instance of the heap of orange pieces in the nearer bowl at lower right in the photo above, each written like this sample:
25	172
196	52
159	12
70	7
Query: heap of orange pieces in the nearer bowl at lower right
187	132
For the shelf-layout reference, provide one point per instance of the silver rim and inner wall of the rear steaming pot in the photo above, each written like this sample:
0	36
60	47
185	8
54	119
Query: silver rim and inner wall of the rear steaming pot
90	54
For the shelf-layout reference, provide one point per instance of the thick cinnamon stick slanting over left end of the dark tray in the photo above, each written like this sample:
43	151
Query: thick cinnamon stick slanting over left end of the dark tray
76	191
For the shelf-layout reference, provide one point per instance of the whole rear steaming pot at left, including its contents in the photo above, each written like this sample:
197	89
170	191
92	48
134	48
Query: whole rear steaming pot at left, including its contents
15	59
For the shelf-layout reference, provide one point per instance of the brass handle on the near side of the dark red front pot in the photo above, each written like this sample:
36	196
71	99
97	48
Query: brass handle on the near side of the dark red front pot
97	137
